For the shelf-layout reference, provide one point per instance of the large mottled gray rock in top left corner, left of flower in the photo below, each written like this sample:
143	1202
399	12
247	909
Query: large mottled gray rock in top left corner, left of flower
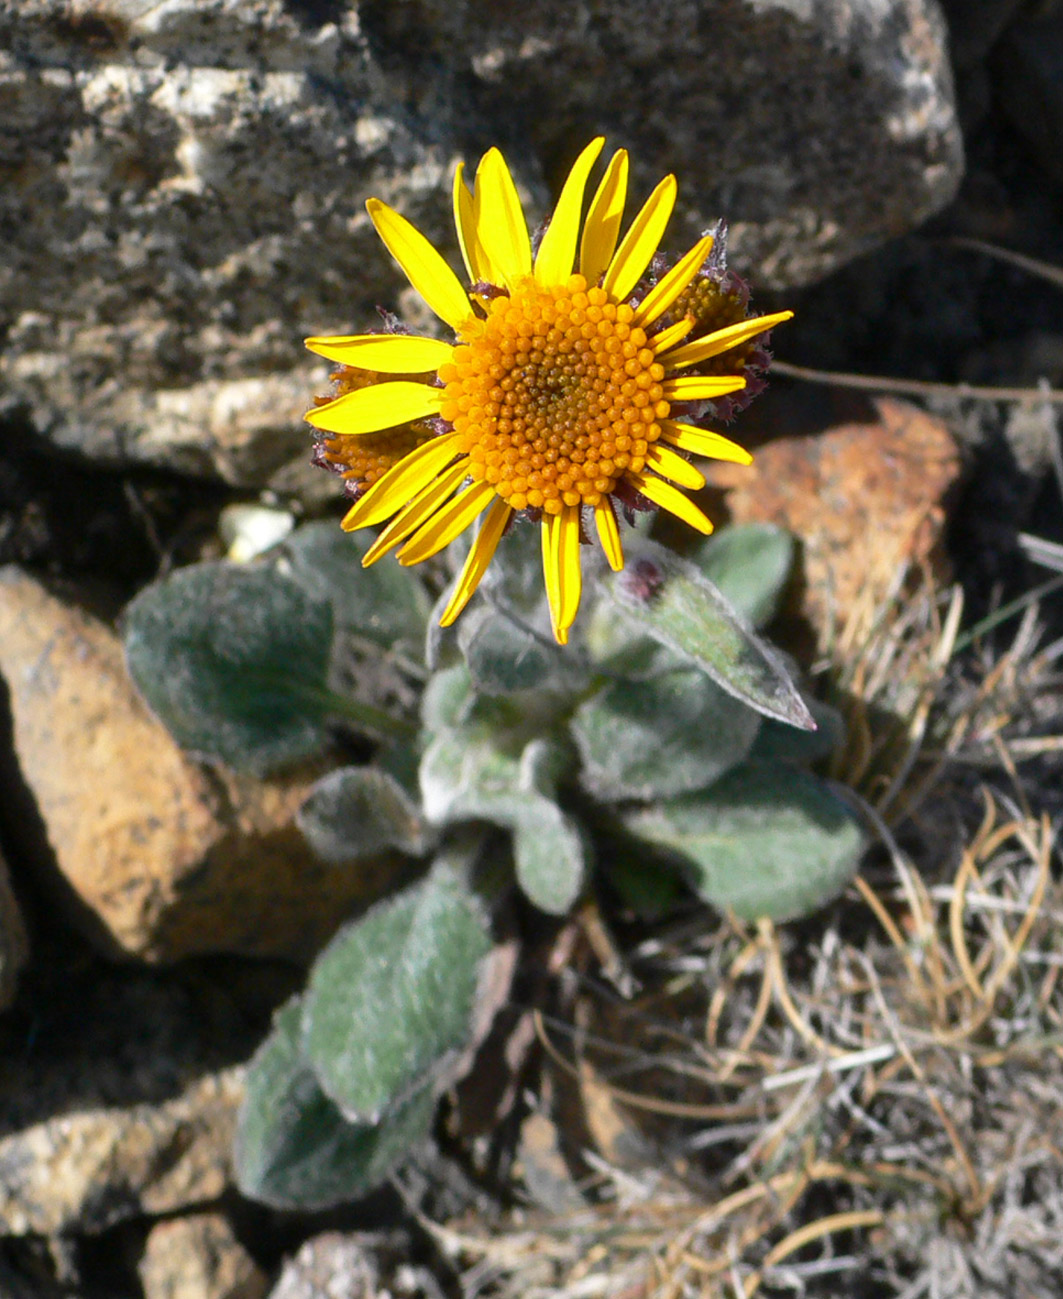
185	189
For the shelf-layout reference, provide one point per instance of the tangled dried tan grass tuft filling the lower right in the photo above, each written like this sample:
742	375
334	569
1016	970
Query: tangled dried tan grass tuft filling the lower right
869	1104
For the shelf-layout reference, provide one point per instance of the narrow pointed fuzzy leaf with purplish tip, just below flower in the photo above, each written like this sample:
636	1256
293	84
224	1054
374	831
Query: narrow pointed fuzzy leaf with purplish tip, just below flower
675	603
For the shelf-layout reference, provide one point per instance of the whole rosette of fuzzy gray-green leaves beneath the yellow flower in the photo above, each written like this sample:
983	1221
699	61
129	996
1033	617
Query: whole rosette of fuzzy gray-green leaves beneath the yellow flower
683	727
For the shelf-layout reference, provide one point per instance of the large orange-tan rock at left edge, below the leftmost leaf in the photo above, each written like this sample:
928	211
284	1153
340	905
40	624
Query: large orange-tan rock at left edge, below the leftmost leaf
162	857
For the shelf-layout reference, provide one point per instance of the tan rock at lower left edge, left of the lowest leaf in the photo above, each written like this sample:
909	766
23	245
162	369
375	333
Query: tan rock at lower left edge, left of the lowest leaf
92	1168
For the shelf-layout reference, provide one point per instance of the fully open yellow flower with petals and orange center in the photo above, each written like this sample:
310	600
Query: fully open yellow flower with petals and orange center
557	397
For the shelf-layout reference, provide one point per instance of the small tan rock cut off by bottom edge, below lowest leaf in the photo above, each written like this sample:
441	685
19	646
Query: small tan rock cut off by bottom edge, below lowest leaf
198	1258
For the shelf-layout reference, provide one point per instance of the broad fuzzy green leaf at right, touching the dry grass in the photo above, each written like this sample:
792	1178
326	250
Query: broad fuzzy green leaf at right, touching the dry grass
767	840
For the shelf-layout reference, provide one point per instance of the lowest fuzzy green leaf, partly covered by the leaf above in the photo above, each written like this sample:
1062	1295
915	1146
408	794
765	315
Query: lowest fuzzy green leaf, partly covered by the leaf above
294	1149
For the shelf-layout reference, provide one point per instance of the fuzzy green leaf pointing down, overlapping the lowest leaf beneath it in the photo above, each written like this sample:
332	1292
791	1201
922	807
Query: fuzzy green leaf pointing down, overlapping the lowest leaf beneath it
391	1001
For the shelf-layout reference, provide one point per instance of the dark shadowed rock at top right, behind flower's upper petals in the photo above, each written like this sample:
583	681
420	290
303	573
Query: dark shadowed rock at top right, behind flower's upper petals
818	131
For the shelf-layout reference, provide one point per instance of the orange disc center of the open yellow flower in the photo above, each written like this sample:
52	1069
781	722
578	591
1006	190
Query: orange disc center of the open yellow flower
556	396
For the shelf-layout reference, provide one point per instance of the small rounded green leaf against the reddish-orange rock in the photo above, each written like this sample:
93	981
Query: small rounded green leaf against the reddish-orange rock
750	566
